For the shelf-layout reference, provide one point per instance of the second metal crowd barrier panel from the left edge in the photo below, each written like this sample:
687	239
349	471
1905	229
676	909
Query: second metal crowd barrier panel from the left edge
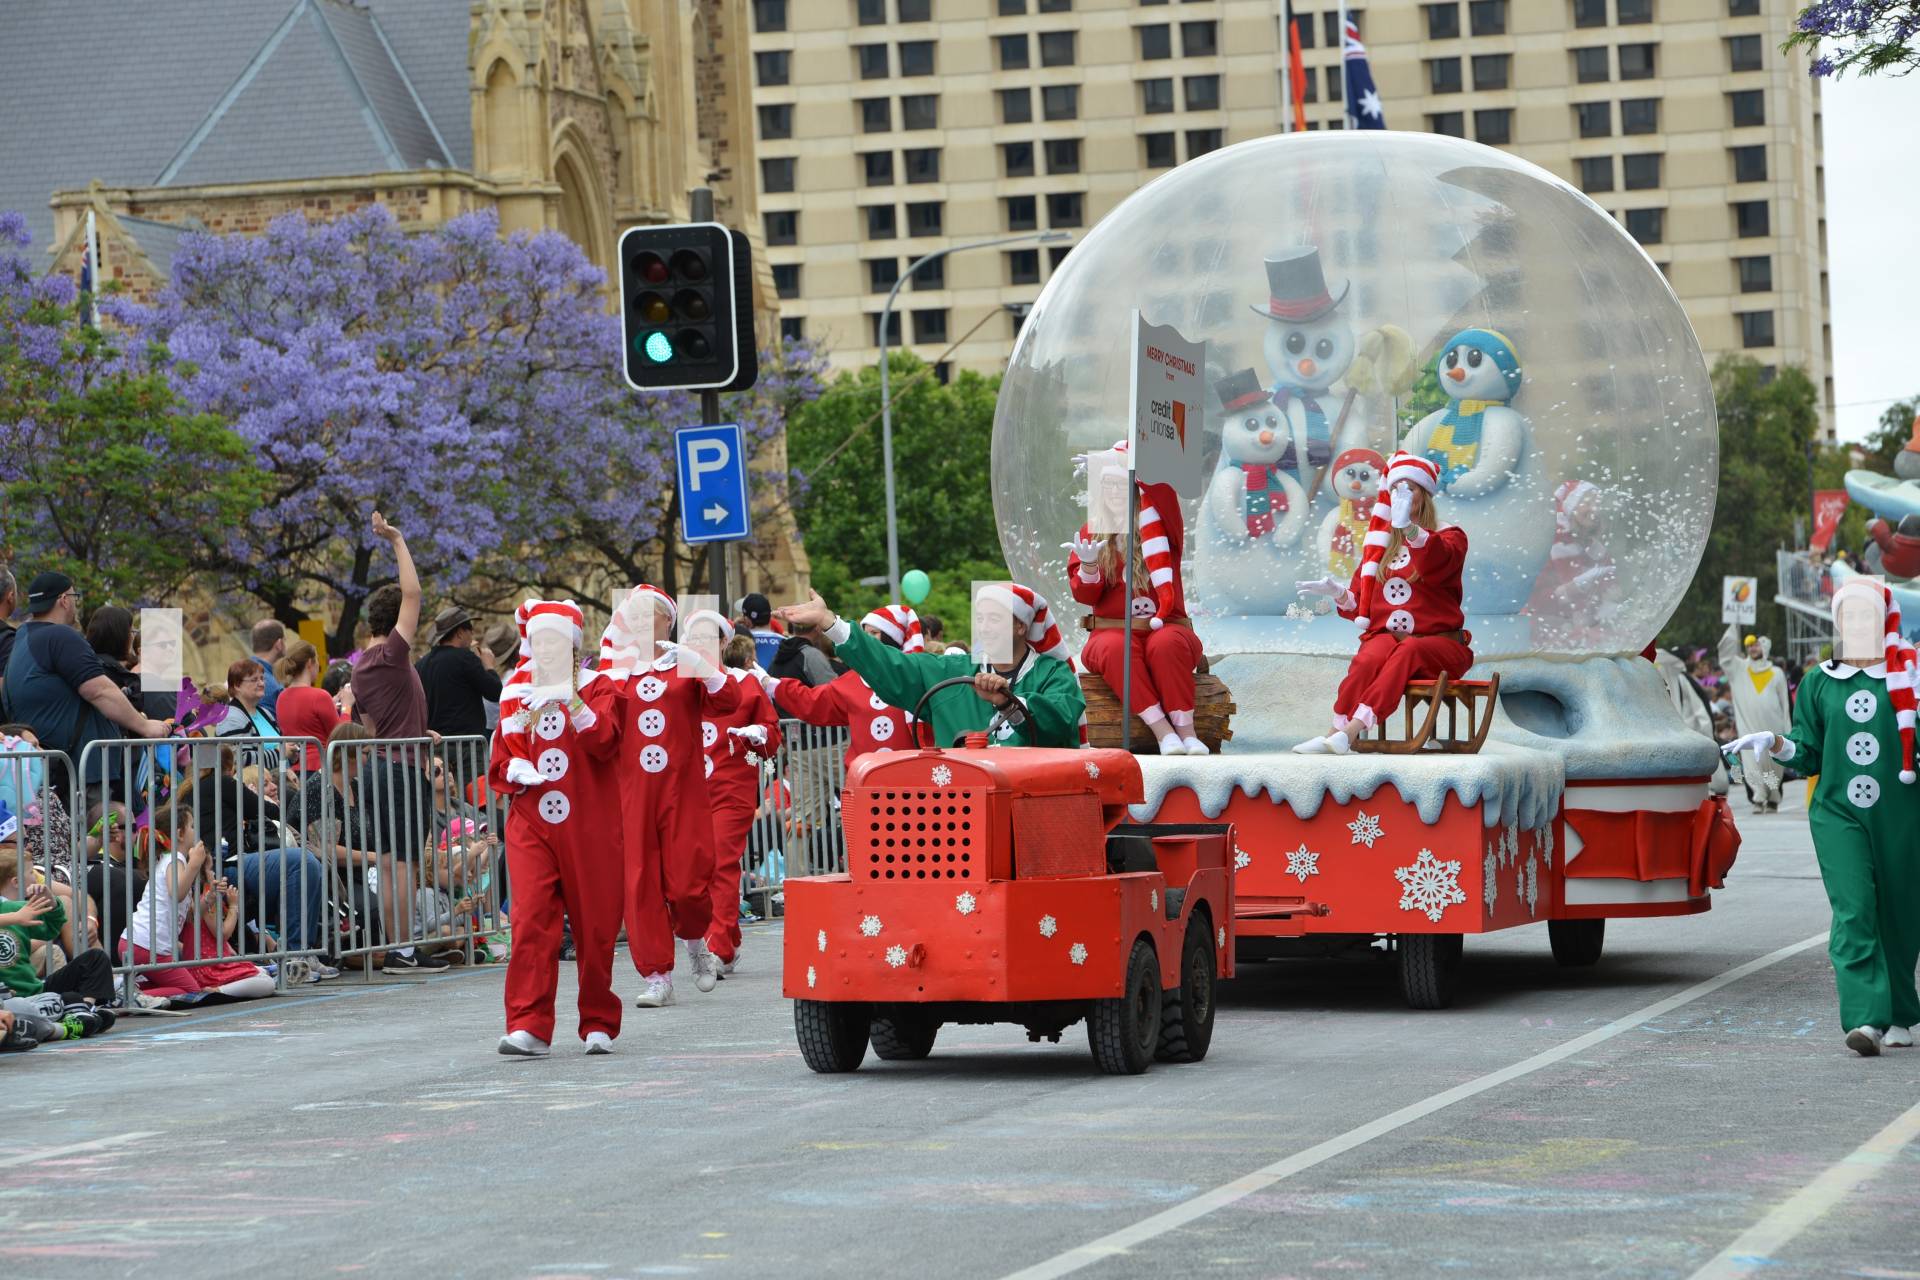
262	891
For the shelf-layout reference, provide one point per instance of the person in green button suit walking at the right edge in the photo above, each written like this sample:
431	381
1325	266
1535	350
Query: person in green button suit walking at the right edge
1854	724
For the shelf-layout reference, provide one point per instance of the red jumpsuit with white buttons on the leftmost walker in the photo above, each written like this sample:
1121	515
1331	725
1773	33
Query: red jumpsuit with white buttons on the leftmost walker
562	861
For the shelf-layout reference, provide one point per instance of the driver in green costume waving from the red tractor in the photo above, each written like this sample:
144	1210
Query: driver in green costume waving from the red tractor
1032	699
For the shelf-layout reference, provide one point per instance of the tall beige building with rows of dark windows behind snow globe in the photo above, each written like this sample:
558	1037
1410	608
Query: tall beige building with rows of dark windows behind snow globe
896	128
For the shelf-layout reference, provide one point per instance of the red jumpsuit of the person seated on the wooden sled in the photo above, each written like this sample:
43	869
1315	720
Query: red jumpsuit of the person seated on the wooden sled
1416	632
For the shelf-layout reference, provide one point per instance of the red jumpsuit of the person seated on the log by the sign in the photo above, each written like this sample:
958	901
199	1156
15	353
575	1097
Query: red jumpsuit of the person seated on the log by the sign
1163	661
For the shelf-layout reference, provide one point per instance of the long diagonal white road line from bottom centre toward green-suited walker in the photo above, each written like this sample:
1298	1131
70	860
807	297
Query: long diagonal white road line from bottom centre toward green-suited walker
1262	1179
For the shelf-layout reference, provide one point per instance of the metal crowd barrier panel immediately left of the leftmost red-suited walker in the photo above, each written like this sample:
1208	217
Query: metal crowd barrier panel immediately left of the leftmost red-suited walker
414	845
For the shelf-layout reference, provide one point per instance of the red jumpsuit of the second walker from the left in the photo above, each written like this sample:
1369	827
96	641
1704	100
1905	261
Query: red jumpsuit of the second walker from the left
669	820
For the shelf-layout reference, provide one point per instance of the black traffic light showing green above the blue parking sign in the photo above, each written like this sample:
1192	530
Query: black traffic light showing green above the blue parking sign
686	308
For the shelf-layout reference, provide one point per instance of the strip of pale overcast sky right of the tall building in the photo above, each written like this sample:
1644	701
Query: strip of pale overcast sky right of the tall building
1873	250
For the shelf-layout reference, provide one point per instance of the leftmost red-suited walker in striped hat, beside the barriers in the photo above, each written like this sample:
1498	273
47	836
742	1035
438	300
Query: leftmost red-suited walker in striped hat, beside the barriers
554	757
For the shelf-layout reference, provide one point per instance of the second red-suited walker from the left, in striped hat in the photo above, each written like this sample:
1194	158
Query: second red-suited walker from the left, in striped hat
661	705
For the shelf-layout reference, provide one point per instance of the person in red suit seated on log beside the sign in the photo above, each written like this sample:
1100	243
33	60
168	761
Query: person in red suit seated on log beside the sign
1164	646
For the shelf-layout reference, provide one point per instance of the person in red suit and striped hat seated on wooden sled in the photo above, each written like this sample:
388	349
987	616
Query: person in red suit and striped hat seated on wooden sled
1406	602
